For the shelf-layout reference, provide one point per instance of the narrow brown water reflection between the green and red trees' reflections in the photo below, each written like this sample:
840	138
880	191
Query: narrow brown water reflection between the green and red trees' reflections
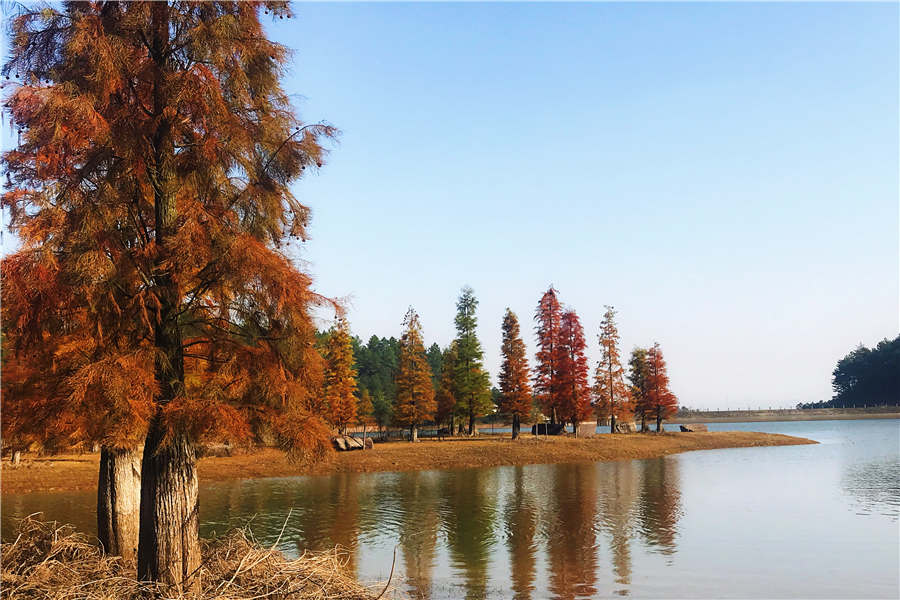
520	518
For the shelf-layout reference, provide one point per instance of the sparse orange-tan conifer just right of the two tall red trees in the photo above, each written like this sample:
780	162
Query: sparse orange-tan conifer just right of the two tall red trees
612	398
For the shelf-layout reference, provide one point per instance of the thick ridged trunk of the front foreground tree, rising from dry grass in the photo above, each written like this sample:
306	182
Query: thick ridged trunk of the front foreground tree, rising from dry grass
169	544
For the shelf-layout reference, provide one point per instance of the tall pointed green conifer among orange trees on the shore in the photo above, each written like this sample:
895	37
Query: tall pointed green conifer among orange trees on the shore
472	384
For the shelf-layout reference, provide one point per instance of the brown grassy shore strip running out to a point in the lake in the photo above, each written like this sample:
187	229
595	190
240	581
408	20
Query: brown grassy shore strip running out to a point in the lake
73	472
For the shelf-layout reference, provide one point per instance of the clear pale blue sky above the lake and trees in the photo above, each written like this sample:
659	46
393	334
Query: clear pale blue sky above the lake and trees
725	175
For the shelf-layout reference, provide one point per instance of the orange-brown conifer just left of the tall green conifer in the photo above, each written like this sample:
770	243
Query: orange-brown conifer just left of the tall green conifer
415	393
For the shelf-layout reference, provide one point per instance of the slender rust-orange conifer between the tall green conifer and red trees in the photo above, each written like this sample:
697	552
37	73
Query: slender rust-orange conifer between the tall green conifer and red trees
514	385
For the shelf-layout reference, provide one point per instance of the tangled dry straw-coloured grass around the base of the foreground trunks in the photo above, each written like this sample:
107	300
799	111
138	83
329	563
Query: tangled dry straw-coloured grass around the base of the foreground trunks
53	562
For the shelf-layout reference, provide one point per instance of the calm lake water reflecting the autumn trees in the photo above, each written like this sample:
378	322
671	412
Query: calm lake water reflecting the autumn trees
792	522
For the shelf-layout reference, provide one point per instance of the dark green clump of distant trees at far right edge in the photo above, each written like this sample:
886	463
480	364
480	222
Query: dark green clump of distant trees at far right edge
866	377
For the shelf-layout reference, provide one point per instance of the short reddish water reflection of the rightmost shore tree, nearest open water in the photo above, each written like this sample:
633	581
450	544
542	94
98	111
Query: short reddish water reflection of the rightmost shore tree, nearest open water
659	504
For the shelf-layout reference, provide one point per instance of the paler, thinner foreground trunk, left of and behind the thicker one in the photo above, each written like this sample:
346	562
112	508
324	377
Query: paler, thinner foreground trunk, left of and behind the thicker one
119	501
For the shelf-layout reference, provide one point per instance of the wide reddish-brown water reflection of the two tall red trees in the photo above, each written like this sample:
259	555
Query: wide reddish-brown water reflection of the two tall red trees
571	548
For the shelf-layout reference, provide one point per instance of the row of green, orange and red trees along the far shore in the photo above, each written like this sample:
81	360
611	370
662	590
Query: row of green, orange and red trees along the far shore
400	383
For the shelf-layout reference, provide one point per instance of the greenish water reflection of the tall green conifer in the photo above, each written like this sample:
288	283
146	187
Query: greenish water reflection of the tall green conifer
468	519
